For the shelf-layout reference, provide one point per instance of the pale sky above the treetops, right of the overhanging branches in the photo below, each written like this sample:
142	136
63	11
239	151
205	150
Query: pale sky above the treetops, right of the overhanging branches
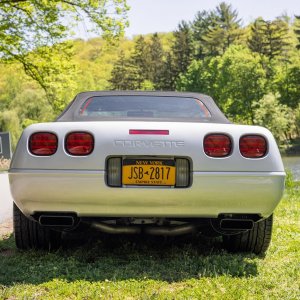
149	16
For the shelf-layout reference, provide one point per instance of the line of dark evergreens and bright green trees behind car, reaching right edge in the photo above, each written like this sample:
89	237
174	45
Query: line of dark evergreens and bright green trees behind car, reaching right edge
252	72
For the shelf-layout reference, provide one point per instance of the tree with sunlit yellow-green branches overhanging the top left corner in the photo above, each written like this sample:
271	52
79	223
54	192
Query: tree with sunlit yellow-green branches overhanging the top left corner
29	27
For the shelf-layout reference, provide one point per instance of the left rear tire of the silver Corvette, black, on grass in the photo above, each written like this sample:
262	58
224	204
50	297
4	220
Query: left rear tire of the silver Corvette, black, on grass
31	235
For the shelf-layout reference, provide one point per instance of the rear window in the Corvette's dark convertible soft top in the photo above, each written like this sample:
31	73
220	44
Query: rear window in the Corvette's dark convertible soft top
144	107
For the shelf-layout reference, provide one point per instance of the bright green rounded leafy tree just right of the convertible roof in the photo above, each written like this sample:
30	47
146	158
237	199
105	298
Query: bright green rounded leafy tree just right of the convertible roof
241	82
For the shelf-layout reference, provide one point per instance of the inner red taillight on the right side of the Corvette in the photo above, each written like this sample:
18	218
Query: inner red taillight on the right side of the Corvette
217	145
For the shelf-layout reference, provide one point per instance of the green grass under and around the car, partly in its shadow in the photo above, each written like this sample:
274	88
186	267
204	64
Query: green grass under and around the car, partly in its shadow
140	268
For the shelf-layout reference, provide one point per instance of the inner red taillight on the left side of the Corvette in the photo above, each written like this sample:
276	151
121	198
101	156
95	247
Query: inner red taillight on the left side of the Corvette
79	143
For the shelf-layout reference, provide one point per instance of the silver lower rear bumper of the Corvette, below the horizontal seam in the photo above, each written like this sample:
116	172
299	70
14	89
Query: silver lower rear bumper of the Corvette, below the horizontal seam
85	193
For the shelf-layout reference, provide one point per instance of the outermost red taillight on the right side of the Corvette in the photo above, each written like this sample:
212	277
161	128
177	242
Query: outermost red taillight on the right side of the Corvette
253	146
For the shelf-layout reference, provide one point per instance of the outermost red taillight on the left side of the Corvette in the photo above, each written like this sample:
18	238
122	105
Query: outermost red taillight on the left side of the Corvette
43	143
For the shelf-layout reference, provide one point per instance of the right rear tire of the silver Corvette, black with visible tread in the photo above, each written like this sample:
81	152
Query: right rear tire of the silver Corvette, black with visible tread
256	240
